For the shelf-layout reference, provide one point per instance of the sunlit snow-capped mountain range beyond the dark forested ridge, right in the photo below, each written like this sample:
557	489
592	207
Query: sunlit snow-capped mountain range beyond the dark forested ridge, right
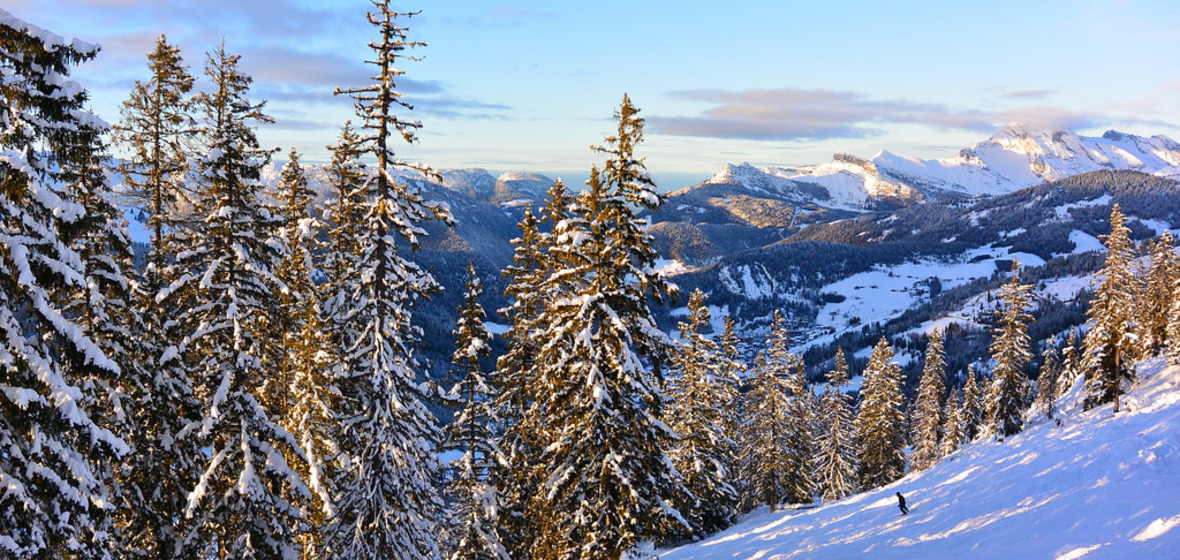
761	206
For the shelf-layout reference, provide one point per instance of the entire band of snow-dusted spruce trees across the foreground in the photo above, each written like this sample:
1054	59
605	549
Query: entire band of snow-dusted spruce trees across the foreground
251	390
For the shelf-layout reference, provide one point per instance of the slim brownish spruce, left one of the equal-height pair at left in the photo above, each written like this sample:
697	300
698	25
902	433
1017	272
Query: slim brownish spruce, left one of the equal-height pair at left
158	130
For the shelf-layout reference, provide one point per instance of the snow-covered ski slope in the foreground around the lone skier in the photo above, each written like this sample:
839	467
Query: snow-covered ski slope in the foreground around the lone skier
1099	486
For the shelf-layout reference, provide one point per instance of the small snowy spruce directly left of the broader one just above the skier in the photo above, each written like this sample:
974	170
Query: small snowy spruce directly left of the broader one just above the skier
836	463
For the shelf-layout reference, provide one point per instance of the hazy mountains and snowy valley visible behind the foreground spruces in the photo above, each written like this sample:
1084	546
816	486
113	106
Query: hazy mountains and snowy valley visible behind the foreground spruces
851	249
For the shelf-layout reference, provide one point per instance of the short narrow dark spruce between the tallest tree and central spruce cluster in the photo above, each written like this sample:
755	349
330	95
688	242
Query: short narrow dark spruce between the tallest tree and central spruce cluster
475	504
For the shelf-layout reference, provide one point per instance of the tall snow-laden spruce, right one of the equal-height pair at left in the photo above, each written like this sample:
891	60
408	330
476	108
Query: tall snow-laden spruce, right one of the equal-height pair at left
248	498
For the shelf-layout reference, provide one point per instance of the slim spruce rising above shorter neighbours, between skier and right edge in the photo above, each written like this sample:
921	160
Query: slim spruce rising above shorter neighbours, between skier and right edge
1011	351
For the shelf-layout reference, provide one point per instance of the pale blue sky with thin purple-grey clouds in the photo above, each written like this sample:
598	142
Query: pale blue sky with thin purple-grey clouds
529	85
